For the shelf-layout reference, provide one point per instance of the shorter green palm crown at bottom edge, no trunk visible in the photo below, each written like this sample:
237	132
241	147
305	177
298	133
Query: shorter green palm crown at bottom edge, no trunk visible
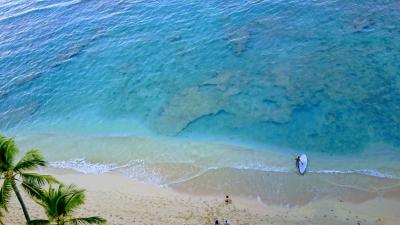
59	205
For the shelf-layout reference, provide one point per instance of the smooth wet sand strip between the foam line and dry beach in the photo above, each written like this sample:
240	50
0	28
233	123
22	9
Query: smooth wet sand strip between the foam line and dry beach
290	189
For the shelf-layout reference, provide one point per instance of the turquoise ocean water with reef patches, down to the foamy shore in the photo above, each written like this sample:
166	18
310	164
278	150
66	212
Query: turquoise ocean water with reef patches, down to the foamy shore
99	85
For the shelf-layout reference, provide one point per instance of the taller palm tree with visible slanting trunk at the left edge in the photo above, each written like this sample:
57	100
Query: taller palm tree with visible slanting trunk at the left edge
13	173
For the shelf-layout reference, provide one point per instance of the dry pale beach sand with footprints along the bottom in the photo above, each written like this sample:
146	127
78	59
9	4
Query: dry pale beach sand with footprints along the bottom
123	201
